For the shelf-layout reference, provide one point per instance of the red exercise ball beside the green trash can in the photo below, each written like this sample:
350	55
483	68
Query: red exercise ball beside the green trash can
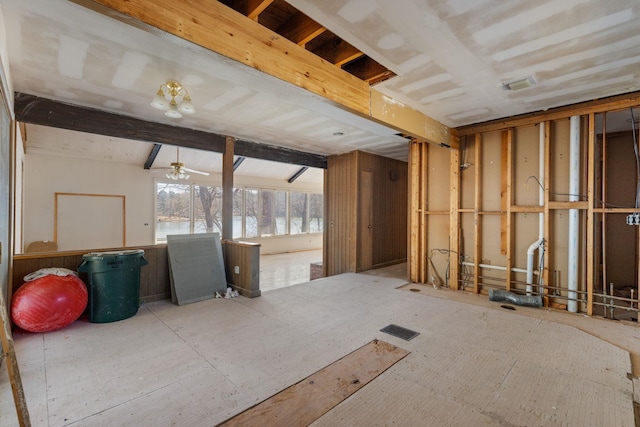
49	303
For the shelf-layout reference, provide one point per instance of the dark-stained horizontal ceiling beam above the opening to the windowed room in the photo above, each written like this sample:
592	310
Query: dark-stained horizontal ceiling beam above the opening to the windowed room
46	112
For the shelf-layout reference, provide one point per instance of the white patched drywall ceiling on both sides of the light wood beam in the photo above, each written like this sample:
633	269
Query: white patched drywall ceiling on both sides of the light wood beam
451	58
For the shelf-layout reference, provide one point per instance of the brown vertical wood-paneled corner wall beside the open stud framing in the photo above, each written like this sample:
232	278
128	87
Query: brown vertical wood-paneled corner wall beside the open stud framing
342	244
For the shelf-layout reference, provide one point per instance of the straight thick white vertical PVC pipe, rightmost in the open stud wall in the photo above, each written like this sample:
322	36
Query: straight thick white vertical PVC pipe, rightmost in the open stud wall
574	190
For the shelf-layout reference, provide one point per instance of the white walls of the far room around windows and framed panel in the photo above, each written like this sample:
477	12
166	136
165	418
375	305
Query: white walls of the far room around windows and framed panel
47	174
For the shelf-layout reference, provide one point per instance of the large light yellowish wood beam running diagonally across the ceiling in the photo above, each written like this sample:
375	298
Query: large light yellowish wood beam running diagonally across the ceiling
216	27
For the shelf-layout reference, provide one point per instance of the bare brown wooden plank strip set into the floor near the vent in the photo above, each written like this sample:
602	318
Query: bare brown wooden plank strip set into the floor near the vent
308	400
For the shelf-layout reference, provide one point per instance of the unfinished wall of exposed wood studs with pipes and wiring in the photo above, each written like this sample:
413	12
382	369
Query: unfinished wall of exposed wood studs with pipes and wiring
537	205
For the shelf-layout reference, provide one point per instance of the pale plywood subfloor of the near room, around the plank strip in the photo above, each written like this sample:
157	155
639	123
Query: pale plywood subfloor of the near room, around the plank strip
199	364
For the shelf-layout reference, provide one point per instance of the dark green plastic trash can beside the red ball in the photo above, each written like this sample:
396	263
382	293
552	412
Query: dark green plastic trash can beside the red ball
113	282
